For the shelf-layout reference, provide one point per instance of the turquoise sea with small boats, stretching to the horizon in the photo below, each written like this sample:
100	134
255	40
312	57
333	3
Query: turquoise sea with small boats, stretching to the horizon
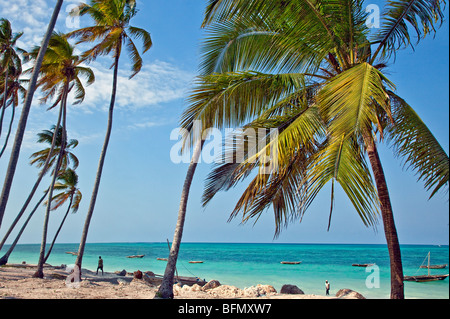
245	264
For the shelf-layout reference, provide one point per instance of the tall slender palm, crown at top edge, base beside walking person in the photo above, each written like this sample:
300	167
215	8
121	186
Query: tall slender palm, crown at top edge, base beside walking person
113	31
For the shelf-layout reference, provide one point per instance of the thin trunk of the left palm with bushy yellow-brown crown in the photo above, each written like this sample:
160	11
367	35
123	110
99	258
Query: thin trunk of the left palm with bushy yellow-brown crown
40	266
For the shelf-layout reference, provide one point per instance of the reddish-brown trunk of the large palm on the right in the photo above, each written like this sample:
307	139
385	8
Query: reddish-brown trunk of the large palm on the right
397	290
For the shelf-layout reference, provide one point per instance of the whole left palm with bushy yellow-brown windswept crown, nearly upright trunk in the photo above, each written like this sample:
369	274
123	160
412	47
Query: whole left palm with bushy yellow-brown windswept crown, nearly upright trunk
60	74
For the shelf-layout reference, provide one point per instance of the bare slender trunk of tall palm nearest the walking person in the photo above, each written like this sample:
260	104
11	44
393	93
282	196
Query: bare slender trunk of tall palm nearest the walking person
90	212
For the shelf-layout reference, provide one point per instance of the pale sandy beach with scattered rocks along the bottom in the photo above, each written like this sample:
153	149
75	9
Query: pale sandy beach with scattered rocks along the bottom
16	282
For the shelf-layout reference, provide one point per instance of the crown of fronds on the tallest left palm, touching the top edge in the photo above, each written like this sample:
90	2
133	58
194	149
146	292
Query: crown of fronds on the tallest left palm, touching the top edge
112	30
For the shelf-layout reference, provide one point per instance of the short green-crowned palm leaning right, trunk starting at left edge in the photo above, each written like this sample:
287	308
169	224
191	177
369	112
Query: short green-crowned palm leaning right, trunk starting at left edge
47	158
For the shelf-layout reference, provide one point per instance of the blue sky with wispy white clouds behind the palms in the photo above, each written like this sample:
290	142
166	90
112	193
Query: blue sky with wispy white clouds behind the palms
140	190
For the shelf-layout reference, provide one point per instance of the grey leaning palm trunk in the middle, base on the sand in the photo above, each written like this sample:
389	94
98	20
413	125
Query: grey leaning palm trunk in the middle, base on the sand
166	289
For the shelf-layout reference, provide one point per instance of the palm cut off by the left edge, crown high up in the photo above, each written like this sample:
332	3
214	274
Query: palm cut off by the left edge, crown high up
9	57
